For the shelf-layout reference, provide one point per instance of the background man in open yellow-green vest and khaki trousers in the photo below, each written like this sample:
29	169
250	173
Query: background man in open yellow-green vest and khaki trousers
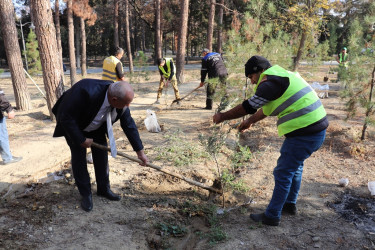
167	71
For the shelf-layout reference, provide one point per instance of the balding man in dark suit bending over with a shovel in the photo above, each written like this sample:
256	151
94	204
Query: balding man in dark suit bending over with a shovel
81	118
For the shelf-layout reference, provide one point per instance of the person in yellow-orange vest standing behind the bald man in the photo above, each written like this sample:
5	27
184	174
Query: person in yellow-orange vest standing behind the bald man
112	67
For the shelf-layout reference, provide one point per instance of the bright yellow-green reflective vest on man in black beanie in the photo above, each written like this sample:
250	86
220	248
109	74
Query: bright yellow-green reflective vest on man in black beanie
298	107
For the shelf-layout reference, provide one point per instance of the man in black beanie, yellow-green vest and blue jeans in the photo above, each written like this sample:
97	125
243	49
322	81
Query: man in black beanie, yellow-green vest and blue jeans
301	119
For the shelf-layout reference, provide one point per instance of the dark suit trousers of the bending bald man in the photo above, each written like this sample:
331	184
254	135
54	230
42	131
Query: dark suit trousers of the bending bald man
100	159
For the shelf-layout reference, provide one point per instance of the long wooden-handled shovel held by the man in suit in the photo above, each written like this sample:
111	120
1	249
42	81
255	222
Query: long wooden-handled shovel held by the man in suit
190	181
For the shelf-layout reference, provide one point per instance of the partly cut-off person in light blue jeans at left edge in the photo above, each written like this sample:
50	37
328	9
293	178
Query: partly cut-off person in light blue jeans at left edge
6	155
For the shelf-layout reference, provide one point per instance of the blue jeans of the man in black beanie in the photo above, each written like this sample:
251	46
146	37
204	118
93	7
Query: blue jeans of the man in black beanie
288	172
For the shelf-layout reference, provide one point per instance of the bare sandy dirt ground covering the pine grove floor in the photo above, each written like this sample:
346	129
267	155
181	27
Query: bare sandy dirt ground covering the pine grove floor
162	212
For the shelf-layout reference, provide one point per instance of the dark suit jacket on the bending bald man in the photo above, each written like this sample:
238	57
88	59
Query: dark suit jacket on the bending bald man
79	105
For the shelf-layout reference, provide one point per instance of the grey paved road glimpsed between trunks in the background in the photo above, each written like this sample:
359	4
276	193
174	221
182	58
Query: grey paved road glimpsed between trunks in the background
92	70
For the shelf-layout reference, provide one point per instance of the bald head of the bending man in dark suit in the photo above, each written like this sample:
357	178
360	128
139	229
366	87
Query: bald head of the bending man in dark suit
120	94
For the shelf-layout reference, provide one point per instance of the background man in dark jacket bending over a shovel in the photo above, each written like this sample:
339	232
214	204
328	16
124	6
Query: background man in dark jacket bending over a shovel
213	65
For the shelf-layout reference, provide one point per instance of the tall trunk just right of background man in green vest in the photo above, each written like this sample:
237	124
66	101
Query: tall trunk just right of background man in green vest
181	46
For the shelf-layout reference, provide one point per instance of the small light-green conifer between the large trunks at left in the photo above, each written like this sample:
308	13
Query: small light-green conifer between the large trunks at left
32	54
